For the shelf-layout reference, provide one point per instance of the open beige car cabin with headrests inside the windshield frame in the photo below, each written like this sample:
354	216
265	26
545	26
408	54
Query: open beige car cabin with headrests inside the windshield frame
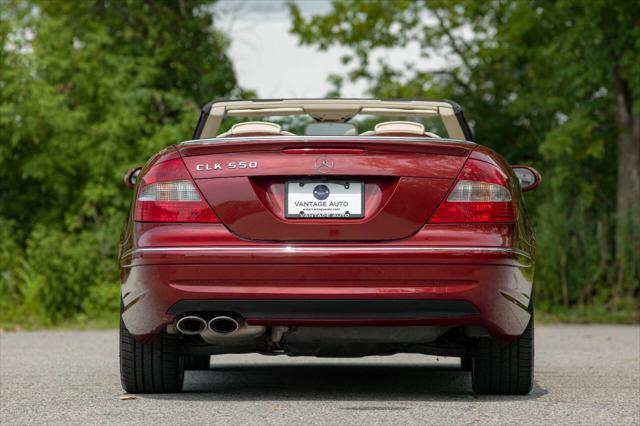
332	117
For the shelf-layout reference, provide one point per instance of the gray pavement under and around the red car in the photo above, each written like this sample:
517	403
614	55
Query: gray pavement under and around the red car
584	375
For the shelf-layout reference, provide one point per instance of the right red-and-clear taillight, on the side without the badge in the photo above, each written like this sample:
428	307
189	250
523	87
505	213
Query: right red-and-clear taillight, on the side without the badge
480	195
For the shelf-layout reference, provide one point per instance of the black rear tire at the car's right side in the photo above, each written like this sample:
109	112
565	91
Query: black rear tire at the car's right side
504	368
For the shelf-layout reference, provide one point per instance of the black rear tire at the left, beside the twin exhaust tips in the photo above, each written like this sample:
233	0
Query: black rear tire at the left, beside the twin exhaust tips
155	367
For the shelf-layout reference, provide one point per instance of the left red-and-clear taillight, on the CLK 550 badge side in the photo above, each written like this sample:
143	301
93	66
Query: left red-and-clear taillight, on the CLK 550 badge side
168	194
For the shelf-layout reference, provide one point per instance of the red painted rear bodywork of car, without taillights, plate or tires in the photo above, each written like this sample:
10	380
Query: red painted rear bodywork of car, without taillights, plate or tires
391	254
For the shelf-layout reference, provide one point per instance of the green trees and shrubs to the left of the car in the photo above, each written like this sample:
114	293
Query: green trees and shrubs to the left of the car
87	90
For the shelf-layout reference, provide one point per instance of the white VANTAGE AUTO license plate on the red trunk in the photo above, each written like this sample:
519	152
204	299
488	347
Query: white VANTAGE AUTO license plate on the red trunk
330	199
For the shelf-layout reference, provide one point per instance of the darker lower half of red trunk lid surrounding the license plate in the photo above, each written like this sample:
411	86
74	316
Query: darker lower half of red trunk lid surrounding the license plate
256	211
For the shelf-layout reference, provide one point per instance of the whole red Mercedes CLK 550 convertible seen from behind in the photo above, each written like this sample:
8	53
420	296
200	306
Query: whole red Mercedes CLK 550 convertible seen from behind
328	228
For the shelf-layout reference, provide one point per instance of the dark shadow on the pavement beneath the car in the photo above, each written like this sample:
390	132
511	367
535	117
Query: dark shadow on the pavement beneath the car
278	382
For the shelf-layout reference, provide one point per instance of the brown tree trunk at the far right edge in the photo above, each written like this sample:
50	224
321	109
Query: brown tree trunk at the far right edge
628	191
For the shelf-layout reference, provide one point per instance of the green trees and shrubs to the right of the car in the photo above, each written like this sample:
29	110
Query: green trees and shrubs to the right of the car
537	79
